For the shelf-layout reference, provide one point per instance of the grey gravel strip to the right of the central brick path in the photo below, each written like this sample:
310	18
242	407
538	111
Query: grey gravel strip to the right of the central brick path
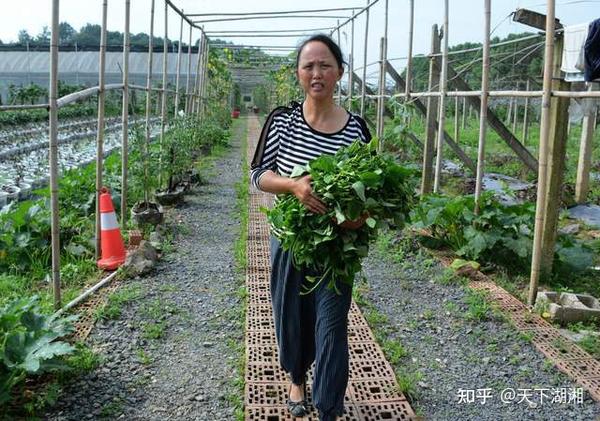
452	352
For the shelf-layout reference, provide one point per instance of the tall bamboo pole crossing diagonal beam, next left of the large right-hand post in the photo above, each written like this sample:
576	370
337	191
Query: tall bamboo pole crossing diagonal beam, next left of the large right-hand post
485	84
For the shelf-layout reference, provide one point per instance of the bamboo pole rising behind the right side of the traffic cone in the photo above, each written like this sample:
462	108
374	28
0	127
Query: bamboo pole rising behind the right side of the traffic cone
125	115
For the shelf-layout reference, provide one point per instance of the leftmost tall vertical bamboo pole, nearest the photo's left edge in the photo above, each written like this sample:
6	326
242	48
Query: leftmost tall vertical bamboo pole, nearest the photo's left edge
53	155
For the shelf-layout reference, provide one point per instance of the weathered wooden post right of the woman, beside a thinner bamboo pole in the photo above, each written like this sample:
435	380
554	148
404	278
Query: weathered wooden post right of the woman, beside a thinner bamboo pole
431	117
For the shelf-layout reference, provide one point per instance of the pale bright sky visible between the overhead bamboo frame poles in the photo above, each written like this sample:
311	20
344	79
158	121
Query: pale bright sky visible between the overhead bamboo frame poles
466	19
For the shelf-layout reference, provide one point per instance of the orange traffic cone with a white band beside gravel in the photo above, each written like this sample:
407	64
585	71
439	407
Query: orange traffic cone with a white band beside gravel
113	249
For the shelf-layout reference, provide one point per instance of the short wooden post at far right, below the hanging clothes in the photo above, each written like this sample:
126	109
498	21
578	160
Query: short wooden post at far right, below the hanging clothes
585	150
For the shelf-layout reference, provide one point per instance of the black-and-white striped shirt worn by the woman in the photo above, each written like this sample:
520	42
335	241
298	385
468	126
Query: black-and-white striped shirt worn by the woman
291	141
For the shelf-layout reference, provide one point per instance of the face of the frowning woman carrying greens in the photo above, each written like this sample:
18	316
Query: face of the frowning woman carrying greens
318	71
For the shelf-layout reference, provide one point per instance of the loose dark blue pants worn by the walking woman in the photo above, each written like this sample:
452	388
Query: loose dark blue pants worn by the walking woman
309	328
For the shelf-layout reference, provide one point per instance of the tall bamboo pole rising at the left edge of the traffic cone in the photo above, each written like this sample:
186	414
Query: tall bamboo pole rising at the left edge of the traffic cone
100	132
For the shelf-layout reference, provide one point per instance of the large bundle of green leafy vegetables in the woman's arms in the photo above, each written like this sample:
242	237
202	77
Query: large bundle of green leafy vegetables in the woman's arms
355	182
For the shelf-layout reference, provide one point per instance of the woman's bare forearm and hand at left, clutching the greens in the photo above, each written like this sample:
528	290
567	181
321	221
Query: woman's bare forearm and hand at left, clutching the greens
271	182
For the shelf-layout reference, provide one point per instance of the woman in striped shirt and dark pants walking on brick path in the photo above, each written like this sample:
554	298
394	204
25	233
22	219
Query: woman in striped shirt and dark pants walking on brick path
314	326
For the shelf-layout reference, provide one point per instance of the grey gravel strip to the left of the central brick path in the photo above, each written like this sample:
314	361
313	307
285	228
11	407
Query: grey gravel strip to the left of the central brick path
186	373
